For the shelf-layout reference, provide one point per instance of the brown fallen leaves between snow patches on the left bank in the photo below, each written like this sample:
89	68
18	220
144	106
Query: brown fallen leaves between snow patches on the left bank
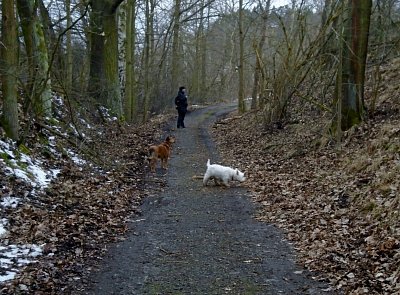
86	208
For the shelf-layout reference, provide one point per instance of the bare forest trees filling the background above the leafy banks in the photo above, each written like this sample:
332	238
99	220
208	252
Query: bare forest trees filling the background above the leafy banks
131	56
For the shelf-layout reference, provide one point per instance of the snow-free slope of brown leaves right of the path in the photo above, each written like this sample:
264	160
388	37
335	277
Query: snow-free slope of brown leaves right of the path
338	203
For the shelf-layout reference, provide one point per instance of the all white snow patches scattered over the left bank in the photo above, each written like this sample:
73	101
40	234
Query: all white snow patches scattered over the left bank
17	162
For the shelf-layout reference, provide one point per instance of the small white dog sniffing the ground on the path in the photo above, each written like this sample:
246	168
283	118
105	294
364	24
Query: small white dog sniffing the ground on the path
222	173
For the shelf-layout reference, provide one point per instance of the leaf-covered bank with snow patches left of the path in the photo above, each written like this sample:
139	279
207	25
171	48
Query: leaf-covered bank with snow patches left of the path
99	187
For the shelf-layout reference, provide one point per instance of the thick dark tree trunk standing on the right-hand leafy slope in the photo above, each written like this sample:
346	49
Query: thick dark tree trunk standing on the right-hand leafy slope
354	48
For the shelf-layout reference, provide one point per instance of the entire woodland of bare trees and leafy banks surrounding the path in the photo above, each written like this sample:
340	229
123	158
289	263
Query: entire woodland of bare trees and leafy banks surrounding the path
316	84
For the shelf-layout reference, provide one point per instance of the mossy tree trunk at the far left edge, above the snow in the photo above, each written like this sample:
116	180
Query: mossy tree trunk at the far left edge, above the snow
9	70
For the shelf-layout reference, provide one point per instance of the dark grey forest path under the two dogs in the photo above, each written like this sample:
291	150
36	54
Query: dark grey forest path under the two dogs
192	239
